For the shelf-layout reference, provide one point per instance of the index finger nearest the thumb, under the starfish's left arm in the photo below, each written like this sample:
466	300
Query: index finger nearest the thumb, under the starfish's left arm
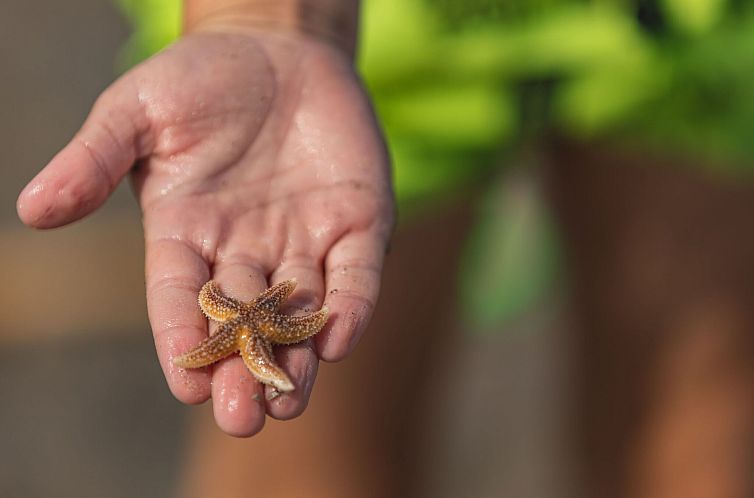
174	275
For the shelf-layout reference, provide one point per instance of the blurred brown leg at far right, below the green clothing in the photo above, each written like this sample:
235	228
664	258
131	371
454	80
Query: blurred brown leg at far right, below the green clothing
662	262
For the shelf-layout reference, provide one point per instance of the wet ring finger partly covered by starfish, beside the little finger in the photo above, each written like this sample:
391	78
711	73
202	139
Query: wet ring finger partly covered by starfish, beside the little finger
299	361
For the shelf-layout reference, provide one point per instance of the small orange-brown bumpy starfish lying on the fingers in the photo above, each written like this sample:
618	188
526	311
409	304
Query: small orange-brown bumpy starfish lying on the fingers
251	329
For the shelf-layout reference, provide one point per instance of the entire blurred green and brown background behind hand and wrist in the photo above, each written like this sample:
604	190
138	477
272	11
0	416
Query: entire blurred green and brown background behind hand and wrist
572	280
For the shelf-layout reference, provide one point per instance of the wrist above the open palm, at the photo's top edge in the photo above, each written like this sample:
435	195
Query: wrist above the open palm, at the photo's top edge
334	21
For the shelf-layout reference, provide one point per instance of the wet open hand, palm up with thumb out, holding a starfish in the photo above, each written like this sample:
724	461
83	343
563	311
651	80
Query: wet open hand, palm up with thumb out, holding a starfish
255	158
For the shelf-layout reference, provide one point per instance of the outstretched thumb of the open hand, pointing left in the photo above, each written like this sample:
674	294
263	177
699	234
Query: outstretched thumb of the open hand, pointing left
82	175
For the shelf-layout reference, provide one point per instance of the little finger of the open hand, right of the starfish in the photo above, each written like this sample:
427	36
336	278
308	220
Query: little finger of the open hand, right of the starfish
352	275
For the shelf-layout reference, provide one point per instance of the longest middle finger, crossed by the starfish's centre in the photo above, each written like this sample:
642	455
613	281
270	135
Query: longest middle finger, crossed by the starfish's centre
237	398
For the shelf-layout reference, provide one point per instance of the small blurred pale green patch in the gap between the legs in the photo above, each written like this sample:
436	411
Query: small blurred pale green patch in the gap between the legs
511	254
